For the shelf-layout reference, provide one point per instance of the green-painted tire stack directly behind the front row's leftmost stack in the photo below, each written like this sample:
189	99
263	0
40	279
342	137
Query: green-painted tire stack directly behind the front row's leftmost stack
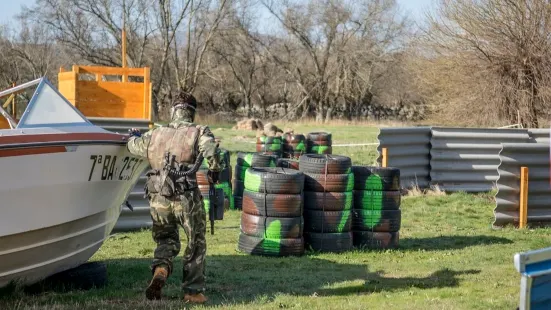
246	160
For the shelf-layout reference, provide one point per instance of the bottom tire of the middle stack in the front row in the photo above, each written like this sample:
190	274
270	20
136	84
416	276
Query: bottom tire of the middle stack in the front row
334	243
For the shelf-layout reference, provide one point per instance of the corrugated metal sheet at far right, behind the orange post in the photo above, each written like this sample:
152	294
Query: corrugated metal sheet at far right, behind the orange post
513	156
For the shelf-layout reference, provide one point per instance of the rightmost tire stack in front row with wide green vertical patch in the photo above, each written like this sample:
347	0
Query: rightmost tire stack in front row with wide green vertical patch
377	215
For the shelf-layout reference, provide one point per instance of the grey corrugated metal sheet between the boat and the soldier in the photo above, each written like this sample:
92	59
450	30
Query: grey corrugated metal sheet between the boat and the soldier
140	217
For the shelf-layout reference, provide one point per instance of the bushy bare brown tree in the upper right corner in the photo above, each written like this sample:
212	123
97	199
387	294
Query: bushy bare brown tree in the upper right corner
500	46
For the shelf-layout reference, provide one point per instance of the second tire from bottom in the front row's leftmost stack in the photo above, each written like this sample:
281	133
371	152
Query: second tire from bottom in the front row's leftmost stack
272	227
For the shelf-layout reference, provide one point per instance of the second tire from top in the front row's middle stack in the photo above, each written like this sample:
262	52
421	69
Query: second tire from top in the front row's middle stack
333	183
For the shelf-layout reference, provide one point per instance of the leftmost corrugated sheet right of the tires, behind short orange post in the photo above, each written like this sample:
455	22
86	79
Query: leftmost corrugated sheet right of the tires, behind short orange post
408	149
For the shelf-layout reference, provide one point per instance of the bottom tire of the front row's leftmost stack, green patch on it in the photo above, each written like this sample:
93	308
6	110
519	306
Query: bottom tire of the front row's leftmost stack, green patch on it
270	247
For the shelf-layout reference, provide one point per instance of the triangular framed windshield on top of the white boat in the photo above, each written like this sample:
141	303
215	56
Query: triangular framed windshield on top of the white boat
46	108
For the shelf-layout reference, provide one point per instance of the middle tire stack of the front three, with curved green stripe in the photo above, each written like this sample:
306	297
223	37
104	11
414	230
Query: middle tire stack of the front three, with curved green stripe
328	198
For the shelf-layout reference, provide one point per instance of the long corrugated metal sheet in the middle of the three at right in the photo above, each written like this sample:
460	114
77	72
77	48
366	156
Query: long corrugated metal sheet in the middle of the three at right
466	159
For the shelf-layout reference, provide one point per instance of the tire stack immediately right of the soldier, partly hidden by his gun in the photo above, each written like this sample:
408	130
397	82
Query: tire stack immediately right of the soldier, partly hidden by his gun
224	181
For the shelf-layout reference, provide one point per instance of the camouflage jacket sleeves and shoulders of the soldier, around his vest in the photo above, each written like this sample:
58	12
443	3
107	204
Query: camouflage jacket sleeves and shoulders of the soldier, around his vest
139	145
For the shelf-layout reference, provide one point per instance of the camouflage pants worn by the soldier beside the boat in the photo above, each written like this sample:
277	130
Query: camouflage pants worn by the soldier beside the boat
188	211
